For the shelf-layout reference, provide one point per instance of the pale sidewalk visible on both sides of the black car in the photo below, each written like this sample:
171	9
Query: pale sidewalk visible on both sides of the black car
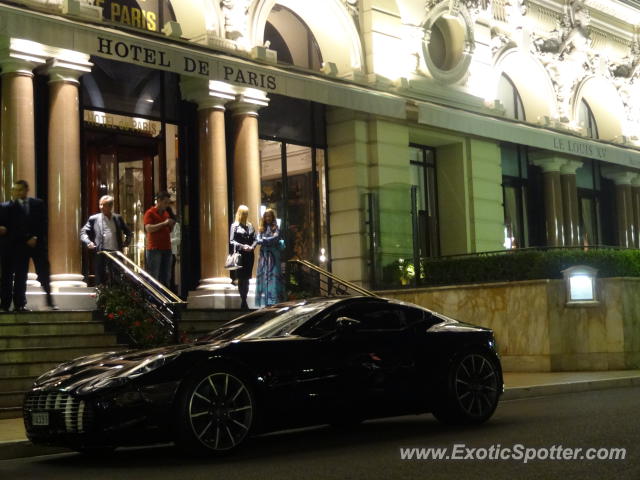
14	443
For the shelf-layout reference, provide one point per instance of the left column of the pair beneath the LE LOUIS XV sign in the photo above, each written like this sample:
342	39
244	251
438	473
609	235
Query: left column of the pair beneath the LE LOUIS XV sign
554	214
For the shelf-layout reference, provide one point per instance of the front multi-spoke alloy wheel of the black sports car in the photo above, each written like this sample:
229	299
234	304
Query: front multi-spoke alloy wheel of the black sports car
220	411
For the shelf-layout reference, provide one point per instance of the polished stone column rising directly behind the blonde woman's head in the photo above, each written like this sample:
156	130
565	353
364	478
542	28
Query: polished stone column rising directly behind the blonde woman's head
246	155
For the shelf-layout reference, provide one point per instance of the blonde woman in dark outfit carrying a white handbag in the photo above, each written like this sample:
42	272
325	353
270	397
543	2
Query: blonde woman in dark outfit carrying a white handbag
242	238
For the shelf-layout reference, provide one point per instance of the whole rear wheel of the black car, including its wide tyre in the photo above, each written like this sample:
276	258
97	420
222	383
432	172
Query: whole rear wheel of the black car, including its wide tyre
472	390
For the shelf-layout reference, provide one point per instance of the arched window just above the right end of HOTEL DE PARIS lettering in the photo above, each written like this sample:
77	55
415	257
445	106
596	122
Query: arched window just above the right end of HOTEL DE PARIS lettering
288	35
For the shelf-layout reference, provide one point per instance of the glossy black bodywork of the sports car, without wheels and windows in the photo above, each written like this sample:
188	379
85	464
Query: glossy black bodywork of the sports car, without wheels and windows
296	380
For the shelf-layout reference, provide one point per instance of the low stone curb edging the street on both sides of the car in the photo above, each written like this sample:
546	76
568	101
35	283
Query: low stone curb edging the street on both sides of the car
24	448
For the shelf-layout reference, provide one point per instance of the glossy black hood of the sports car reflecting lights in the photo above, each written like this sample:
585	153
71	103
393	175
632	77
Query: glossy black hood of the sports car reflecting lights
95	372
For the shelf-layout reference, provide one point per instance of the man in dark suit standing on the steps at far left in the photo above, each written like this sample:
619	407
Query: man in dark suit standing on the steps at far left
27	239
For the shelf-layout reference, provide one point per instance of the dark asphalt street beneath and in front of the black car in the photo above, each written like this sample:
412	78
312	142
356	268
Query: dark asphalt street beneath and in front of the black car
548	427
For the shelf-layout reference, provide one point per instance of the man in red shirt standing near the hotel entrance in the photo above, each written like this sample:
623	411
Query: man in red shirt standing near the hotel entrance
158	225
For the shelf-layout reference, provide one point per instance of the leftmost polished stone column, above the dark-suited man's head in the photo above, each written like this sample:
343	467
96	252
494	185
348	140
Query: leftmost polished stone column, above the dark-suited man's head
17	126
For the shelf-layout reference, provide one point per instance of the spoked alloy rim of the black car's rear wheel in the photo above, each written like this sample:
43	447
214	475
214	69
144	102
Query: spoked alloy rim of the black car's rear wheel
476	386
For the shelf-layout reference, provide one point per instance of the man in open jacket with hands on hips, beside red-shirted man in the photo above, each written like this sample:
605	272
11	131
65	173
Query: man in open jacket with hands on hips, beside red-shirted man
104	231
